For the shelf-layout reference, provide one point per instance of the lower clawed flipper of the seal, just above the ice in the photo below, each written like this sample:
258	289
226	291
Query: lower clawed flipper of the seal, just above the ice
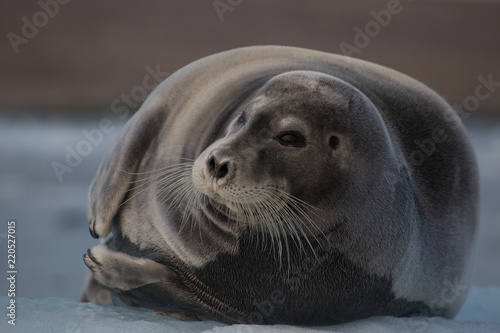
168	290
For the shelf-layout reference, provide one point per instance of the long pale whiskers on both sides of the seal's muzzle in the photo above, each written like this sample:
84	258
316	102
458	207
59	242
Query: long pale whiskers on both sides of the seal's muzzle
277	216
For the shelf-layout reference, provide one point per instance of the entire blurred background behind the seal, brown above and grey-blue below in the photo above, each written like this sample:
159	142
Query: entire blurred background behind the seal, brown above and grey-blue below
72	72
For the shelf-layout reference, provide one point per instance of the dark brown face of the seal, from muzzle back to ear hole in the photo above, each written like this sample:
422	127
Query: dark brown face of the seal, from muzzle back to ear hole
282	149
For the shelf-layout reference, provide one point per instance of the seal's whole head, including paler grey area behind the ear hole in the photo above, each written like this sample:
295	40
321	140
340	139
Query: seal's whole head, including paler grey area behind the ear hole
305	139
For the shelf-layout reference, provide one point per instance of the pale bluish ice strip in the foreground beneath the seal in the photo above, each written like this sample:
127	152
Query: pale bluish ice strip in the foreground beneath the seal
481	313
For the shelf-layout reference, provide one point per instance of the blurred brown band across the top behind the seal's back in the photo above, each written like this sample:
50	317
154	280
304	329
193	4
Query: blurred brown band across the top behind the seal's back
85	54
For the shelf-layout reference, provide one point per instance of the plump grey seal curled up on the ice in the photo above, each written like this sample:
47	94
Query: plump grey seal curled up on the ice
281	185
